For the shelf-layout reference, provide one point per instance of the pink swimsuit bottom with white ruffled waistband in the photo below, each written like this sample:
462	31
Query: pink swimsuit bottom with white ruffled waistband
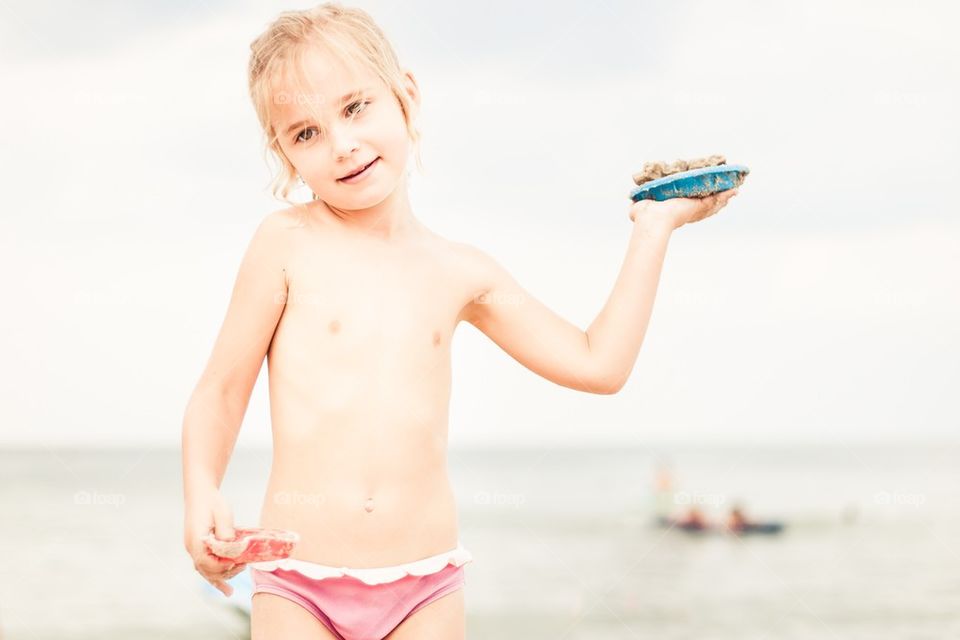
362	604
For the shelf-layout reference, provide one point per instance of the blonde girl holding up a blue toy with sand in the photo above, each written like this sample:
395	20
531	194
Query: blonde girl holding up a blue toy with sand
354	304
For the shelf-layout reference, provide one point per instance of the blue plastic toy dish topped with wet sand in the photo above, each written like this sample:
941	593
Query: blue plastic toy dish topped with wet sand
687	179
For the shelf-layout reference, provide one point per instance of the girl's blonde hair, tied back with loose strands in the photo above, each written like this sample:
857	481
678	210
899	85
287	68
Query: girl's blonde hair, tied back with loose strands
351	35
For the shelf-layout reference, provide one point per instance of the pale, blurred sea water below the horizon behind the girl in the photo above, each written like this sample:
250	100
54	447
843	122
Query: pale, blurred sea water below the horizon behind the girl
563	541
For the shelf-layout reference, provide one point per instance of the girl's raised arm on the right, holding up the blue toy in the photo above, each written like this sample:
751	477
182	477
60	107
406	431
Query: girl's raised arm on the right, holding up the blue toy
600	359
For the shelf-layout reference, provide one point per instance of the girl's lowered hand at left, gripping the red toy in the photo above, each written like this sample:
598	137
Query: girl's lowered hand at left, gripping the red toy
211	513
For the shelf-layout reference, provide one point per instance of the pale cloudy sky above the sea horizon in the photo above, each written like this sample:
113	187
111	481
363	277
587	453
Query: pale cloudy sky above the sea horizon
820	305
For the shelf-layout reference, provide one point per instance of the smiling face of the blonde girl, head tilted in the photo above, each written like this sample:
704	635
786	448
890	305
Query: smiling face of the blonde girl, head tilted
327	132
